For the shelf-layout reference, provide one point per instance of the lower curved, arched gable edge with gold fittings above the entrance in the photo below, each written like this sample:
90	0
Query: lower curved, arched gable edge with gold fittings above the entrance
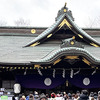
68	53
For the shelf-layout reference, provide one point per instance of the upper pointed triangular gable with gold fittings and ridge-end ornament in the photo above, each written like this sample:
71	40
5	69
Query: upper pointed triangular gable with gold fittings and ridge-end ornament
65	21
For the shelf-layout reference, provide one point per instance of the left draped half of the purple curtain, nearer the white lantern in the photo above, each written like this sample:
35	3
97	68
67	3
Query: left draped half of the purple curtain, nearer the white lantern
37	81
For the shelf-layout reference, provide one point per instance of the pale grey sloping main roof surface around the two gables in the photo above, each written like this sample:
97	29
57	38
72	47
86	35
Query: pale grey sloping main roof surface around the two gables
12	52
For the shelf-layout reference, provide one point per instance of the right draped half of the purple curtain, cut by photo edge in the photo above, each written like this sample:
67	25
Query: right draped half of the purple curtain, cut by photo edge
77	80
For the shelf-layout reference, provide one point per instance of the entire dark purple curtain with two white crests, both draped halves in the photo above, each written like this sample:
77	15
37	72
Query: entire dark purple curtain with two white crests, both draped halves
37	81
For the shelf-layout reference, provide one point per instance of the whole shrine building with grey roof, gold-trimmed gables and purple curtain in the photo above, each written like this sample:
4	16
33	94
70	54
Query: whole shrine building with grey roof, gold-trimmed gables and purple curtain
50	57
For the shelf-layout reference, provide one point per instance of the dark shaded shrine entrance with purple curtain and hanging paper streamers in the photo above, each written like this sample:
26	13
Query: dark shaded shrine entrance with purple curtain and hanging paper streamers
68	75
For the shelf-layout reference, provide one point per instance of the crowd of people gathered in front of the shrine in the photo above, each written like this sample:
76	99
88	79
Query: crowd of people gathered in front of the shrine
84	95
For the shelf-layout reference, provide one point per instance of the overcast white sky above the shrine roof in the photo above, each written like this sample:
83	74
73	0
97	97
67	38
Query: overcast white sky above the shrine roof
42	13
